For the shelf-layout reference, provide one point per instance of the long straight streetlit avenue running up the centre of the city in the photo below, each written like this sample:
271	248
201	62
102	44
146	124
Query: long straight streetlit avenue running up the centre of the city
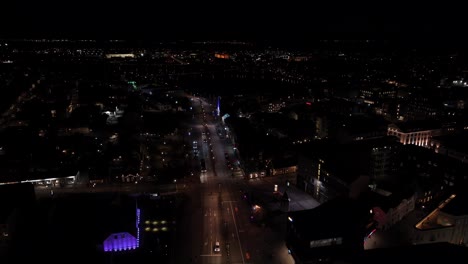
212	209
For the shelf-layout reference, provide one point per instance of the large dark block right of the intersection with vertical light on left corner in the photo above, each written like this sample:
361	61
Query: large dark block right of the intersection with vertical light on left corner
326	170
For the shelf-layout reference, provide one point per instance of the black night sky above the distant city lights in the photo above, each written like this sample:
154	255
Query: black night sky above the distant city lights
228	19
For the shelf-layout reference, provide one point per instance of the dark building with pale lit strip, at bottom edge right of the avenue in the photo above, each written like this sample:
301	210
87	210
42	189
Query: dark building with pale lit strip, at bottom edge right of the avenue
333	231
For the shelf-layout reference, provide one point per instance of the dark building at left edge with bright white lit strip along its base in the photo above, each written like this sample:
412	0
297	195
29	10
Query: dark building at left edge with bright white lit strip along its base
26	157
